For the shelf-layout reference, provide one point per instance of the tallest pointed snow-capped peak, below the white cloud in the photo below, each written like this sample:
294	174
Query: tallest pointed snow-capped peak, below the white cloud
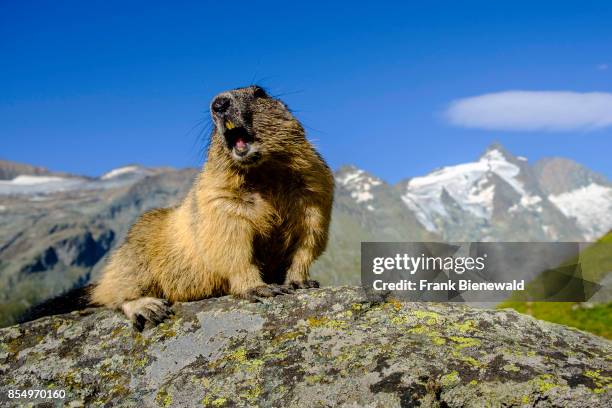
495	198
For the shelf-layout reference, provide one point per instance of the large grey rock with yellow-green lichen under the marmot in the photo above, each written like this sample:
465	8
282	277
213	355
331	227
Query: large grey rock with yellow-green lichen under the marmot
320	347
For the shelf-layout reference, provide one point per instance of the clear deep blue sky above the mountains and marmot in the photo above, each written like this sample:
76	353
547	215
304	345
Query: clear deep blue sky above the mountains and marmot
88	86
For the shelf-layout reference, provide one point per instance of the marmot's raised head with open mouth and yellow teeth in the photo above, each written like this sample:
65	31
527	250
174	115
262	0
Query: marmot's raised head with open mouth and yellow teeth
252	127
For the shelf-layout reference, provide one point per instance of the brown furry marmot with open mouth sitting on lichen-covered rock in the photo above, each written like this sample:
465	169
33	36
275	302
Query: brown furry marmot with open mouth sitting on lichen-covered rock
255	219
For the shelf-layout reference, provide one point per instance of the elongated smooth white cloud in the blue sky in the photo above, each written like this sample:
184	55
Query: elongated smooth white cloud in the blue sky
533	110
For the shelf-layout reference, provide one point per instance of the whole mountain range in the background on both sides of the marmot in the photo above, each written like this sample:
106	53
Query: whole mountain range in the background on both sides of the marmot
56	228
